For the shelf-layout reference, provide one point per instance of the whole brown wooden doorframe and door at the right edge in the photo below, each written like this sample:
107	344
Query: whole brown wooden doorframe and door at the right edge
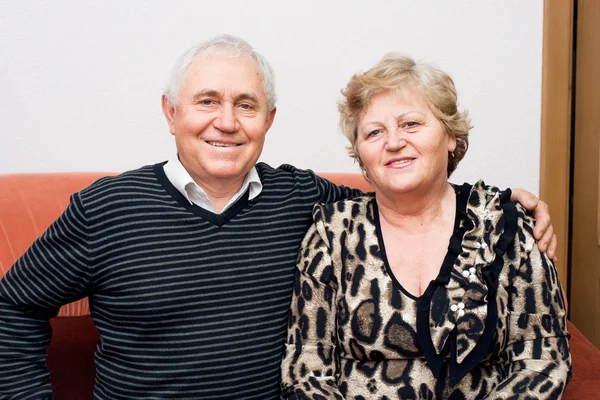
570	151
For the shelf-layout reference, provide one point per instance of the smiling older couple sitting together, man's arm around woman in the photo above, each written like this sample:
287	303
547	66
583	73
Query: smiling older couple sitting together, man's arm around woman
422	289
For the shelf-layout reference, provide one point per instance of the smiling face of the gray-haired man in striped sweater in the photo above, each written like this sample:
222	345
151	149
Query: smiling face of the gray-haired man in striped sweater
221	119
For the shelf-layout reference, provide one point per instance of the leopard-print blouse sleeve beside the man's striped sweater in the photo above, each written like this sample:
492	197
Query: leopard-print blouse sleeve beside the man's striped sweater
310	364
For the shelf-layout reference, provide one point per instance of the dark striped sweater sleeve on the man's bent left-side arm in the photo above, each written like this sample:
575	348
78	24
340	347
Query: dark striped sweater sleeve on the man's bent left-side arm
52	272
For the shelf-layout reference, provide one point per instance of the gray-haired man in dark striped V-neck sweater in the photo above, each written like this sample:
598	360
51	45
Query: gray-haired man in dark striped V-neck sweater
188	264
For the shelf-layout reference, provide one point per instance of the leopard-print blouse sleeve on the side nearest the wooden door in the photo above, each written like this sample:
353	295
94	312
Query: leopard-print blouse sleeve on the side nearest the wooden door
538	361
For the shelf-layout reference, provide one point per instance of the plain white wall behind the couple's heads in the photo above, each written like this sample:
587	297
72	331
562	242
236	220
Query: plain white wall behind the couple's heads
81	80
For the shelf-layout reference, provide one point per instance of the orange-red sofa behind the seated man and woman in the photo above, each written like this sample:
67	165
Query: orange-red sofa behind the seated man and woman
29	203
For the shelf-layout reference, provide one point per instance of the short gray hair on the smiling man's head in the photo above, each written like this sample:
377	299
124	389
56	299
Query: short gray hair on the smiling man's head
226	45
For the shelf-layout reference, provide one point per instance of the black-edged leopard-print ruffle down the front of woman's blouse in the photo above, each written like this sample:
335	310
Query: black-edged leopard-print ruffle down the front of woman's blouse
457	315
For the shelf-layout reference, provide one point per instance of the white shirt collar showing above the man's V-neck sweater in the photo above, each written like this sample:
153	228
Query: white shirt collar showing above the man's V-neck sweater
183	182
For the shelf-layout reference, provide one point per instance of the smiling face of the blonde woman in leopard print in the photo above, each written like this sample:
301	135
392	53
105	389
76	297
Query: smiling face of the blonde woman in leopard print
402	145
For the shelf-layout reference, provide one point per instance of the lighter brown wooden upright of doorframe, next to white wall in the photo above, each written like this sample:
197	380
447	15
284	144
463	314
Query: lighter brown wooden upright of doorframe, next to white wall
555	157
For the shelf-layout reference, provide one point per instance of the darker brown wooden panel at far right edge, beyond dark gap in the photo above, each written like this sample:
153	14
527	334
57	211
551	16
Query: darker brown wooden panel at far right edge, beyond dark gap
584	269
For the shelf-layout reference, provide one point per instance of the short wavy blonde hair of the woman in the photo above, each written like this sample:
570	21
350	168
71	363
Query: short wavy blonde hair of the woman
399	72
